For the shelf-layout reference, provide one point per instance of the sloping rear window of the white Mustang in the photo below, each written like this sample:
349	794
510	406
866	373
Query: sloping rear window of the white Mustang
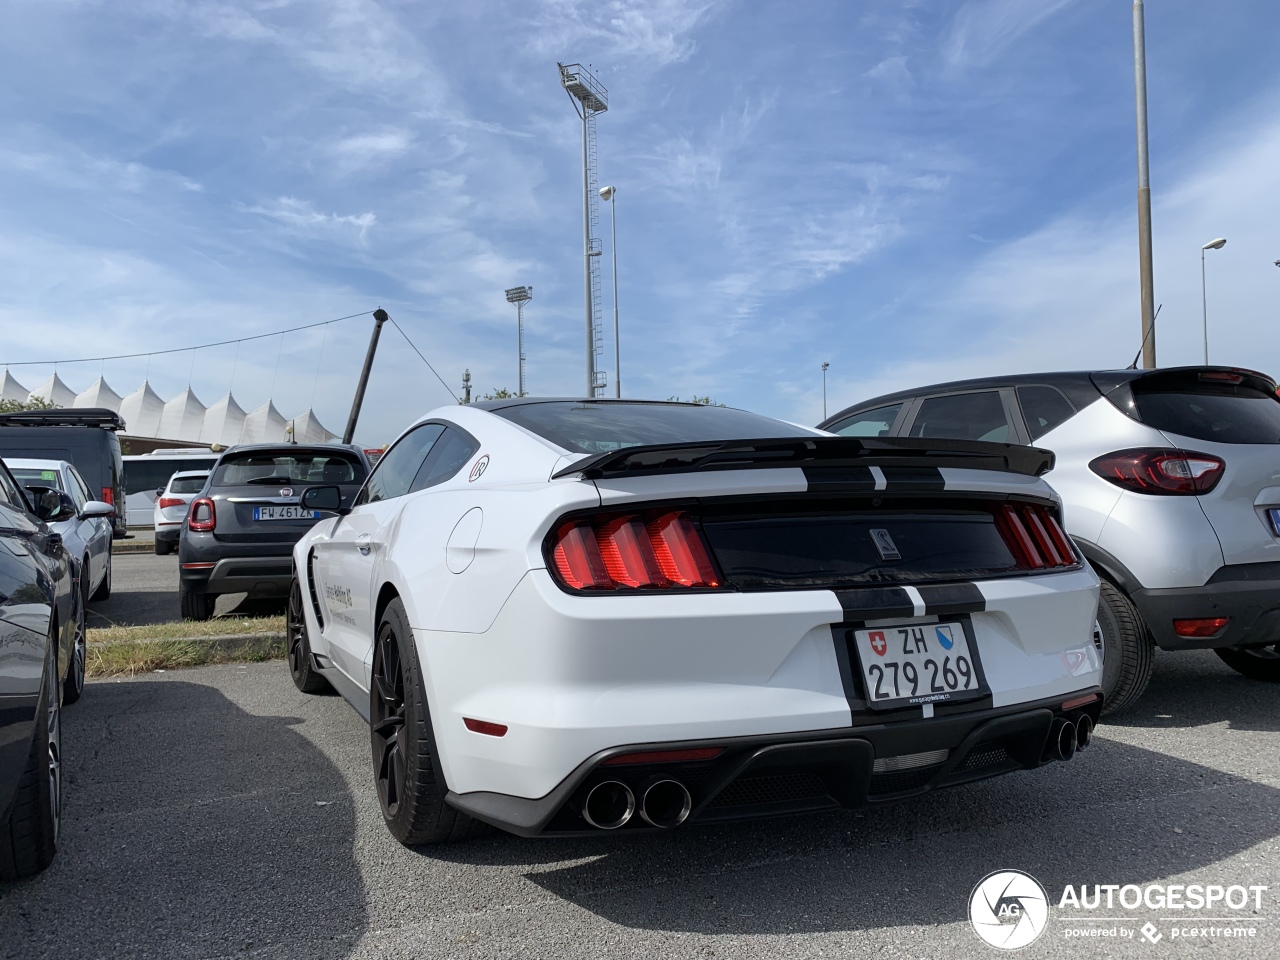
600	428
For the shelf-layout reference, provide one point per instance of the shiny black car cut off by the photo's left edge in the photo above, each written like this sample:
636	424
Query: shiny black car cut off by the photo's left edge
40	628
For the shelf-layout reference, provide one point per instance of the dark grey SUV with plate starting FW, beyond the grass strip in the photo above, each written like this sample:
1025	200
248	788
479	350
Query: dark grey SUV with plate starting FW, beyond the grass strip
240	532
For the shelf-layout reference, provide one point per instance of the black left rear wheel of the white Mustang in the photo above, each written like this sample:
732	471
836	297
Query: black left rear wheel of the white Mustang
406	769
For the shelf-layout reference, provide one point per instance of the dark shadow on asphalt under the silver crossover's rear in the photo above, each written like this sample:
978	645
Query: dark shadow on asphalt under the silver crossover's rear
1196	689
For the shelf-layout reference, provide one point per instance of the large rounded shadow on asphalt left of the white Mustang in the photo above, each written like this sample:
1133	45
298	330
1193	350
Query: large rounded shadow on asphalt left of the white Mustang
191	829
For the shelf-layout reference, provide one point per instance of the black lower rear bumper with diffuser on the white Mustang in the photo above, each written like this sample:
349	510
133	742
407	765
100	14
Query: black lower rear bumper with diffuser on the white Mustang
776	775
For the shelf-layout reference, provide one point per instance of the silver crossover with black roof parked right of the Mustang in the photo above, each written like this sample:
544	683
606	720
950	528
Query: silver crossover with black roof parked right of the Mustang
1171	482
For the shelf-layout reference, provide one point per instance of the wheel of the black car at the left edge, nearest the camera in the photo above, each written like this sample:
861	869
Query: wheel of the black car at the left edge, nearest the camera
29	835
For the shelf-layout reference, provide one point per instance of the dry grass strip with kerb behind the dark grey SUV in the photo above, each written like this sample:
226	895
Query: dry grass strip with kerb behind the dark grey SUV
125	652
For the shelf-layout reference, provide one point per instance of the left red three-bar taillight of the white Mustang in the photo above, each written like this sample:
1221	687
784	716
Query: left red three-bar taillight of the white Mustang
629	552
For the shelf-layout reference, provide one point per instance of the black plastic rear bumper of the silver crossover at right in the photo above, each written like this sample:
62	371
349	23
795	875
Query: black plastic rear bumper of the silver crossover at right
1249	593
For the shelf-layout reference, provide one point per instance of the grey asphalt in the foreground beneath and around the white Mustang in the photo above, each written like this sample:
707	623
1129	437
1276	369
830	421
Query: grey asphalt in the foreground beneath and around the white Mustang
217	812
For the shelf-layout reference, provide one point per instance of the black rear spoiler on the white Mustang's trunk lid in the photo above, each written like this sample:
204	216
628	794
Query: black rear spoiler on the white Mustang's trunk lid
812	451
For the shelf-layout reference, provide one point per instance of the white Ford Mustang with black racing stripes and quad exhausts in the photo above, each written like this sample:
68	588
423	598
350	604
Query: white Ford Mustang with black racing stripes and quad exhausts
569	616
